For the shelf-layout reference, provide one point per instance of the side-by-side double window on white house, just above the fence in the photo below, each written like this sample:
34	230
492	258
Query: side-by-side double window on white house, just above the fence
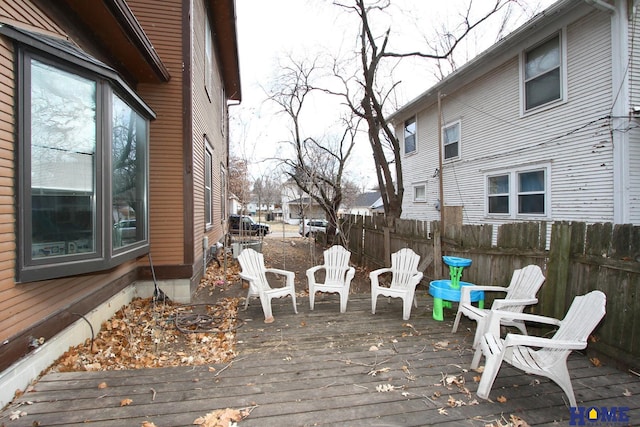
518	192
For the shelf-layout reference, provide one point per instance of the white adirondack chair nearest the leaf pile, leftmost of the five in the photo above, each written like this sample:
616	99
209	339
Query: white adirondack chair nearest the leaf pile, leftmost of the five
254	272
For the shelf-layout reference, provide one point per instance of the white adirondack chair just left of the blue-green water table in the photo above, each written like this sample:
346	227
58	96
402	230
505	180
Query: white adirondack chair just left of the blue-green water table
404	279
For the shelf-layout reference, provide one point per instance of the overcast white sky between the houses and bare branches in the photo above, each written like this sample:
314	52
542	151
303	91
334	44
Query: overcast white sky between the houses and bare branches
272	29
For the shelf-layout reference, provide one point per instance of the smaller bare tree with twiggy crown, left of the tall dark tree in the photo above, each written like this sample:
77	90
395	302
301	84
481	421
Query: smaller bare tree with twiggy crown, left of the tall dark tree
318	164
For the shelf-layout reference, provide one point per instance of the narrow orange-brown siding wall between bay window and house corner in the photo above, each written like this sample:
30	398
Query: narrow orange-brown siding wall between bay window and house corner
162	23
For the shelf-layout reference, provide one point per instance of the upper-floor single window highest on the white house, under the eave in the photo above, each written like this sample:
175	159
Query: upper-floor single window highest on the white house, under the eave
543	74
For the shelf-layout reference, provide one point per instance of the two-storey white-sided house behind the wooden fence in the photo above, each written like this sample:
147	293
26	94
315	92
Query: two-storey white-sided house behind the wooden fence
541	126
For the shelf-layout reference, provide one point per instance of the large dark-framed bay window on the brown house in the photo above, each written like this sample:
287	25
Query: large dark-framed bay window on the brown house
82	162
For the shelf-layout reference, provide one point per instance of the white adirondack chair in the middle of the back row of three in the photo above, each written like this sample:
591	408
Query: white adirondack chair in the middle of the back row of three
338	276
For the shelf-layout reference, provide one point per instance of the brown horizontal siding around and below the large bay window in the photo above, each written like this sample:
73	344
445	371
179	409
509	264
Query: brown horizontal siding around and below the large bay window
39	308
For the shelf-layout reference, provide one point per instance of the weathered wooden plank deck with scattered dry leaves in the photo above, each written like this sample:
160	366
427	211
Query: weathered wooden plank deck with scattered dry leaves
322	368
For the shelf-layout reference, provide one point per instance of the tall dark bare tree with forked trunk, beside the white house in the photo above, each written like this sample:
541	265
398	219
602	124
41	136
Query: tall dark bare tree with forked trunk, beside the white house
370	97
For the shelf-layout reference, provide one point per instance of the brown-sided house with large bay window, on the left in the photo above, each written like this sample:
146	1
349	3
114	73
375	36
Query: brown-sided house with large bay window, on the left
113	133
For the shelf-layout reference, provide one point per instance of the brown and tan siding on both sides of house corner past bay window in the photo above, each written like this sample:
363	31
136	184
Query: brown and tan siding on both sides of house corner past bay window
177	145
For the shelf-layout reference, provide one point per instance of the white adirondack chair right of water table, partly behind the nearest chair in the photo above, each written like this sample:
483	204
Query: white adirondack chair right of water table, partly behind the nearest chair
521	292
